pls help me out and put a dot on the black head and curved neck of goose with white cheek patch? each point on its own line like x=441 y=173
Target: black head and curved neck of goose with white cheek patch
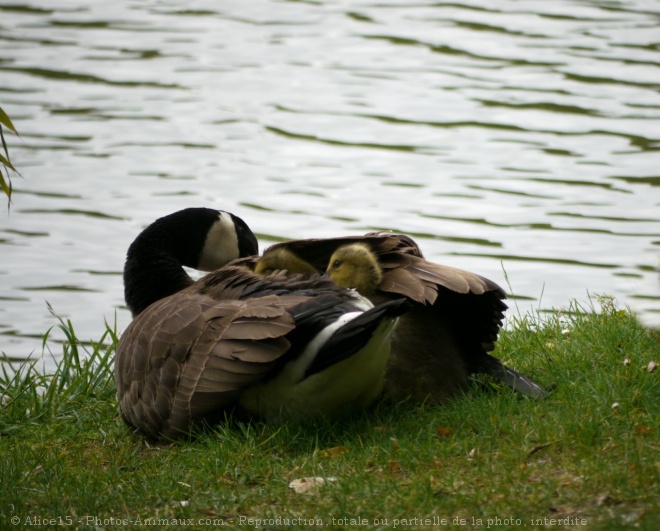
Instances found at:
x=199 y=238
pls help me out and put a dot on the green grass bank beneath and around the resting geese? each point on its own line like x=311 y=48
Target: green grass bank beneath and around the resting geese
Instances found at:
x=489 y=455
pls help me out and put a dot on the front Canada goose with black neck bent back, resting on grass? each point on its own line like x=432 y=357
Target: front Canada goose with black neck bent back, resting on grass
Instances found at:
x=274 y=346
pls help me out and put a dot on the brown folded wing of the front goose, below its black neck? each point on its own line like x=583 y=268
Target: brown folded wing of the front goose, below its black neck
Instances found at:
x=190 y=355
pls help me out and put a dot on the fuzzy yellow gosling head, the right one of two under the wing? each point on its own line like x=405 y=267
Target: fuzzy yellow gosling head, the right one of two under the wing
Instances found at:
x=355 y=266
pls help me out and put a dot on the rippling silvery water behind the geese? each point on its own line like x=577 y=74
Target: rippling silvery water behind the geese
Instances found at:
x=515 y=138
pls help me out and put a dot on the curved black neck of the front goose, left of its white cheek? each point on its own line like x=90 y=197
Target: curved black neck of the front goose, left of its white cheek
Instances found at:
x=154 y=261
